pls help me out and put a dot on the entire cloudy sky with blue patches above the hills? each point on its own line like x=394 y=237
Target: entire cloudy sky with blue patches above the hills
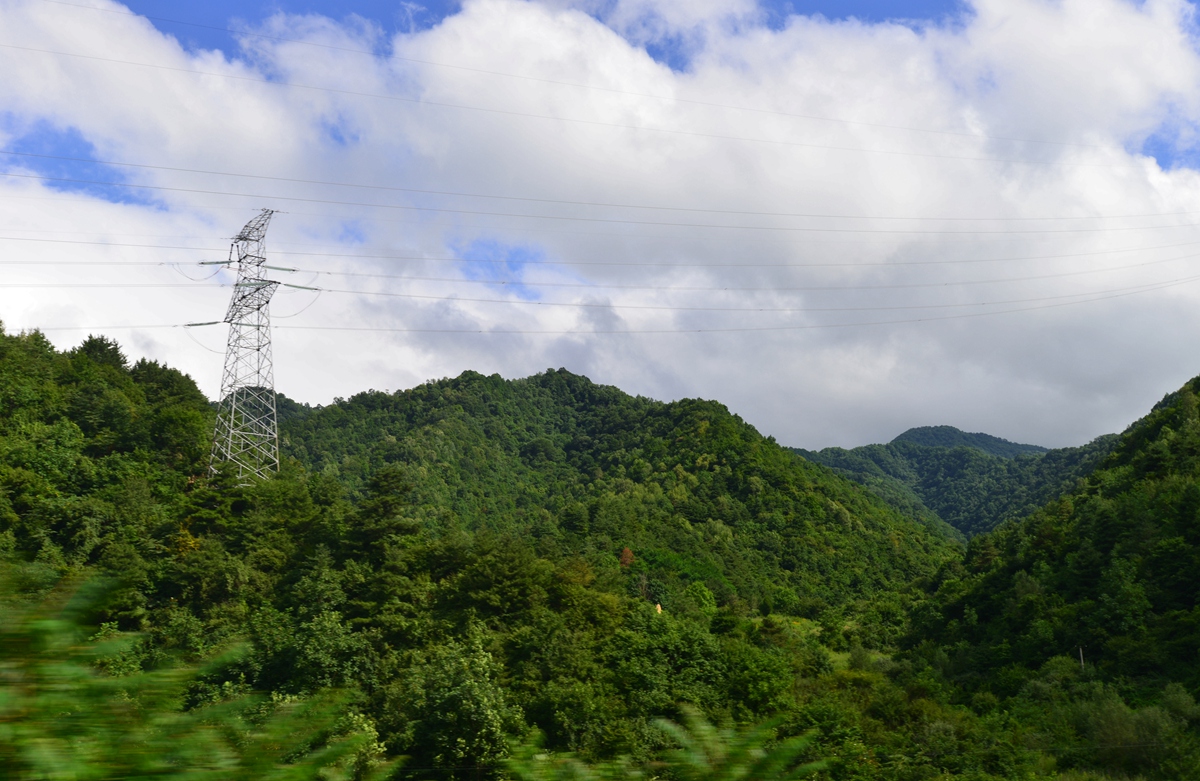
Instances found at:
x=842 y=220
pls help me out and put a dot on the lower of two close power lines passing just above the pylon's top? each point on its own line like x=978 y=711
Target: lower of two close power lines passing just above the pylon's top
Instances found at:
x=597 y=220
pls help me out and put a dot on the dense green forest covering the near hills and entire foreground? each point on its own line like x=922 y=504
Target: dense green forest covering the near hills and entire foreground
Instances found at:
x=550 y=579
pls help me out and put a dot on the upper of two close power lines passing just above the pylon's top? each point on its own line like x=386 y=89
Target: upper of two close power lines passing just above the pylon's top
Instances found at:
x=580 y=203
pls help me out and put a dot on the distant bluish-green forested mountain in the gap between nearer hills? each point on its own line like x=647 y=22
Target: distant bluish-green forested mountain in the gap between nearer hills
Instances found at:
x=974 y=483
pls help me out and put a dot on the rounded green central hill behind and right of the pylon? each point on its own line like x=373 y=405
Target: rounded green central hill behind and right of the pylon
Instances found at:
x=692 y=490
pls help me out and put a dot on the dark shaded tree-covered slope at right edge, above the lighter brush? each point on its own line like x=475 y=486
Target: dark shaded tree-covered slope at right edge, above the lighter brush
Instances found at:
x=1111 y=567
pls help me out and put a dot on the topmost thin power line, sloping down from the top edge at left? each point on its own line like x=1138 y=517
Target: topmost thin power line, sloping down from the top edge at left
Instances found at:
x=579 y=85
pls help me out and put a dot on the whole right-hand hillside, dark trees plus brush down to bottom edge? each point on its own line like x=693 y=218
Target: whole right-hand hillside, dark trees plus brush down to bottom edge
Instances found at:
x=1085 y=616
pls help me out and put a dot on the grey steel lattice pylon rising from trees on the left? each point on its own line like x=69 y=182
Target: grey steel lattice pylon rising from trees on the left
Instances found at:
x=247 y=431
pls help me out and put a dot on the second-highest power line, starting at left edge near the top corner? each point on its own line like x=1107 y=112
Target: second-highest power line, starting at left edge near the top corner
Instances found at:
x=557 y=119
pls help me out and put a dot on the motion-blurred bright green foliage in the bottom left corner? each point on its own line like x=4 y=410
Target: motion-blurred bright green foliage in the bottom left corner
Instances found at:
x=63 y=718
